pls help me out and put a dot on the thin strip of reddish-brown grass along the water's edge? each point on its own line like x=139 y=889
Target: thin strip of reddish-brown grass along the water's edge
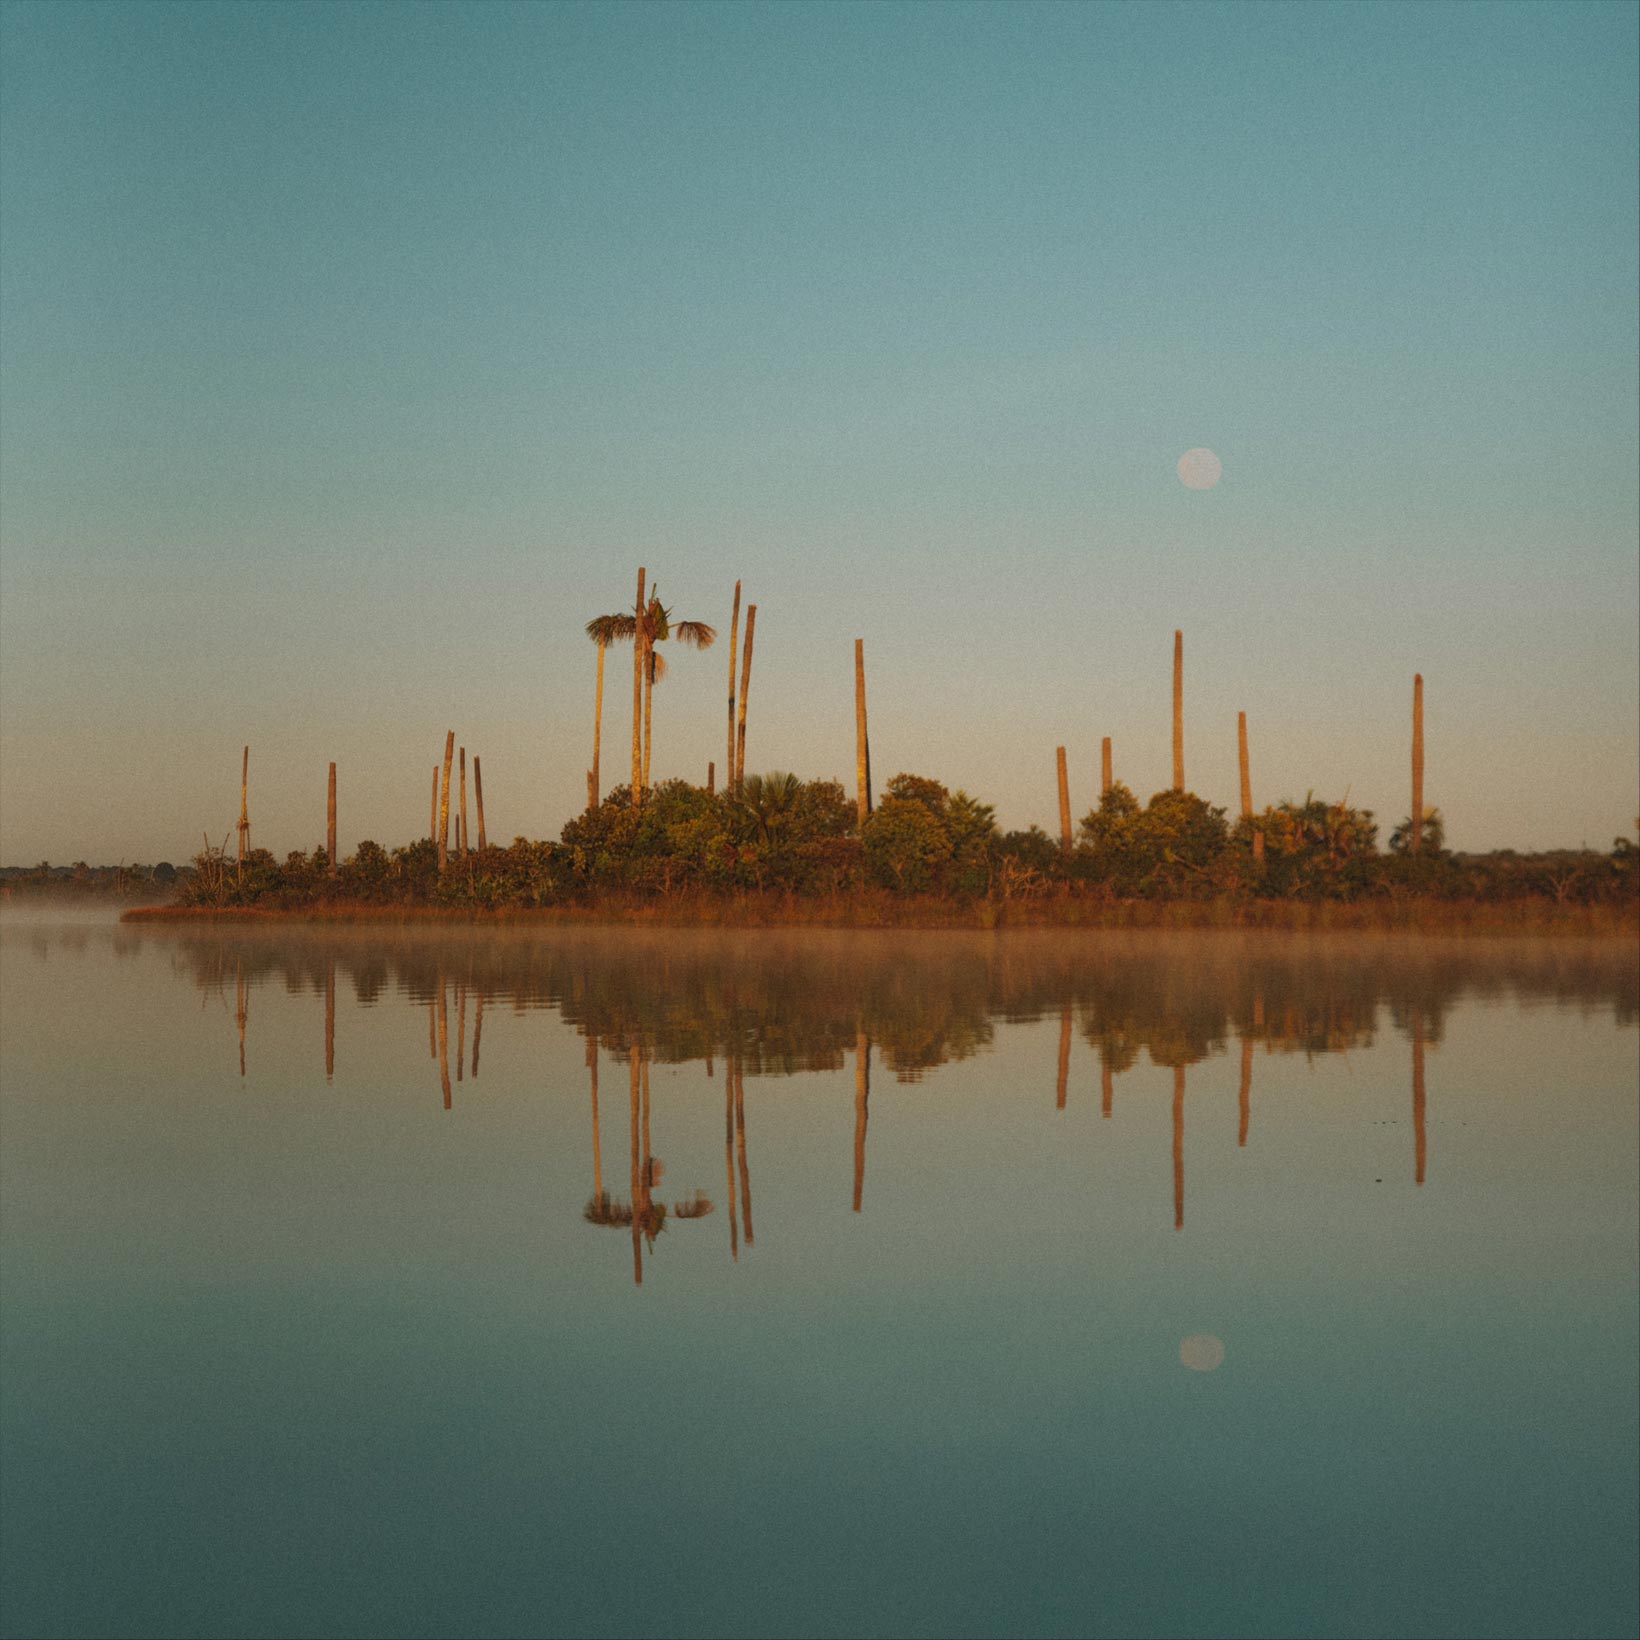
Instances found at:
x=868 y=913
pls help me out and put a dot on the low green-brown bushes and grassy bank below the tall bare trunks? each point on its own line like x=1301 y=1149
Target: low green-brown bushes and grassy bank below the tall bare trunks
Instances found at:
x=801 y=840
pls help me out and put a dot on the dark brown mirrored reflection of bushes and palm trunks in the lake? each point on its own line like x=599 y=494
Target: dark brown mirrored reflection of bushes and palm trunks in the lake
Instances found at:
x=775 y=1006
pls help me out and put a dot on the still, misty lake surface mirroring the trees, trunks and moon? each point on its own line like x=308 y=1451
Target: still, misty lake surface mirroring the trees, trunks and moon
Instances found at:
x=660 y=1283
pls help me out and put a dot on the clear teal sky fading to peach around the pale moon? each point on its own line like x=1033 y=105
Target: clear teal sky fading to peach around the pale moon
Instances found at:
x=352 y=358
